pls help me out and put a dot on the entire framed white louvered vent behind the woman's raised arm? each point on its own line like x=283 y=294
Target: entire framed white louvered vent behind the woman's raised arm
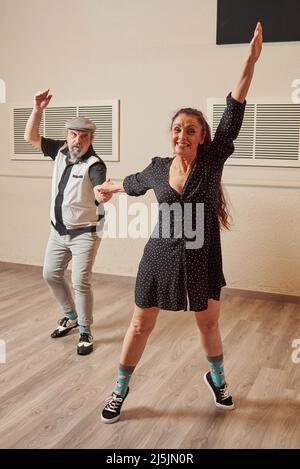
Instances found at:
x=270 y=134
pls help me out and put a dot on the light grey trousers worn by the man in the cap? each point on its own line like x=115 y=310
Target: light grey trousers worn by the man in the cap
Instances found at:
x=82 y=250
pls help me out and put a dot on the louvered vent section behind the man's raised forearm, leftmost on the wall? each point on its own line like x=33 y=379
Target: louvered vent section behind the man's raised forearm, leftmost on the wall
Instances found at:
x=20 y=118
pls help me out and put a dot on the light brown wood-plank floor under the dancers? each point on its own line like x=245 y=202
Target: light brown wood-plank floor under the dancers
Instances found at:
x=51 y=398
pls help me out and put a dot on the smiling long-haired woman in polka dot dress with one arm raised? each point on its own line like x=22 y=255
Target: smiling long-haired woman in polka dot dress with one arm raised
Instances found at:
x=175 y=274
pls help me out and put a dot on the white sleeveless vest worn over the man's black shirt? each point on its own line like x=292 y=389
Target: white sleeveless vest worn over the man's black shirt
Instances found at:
x=78 y=206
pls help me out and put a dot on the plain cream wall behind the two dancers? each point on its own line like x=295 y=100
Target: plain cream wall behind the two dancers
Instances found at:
x=155 y=57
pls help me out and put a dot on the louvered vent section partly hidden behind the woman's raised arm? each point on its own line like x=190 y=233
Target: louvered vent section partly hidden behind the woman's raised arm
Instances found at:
x=244 y=143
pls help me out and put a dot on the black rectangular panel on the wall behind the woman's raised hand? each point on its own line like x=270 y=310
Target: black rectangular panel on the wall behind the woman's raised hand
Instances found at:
x=236 y=20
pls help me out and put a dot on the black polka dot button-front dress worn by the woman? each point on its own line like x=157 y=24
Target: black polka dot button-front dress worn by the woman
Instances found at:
x=171 y=275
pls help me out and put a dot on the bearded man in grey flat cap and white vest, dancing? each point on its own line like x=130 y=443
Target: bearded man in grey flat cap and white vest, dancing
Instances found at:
x=77 y=172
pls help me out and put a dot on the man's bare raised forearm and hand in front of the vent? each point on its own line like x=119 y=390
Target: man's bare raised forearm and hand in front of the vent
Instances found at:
x=32 y=135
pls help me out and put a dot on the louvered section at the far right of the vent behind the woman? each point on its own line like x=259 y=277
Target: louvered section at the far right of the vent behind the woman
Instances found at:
x=277 y=133
